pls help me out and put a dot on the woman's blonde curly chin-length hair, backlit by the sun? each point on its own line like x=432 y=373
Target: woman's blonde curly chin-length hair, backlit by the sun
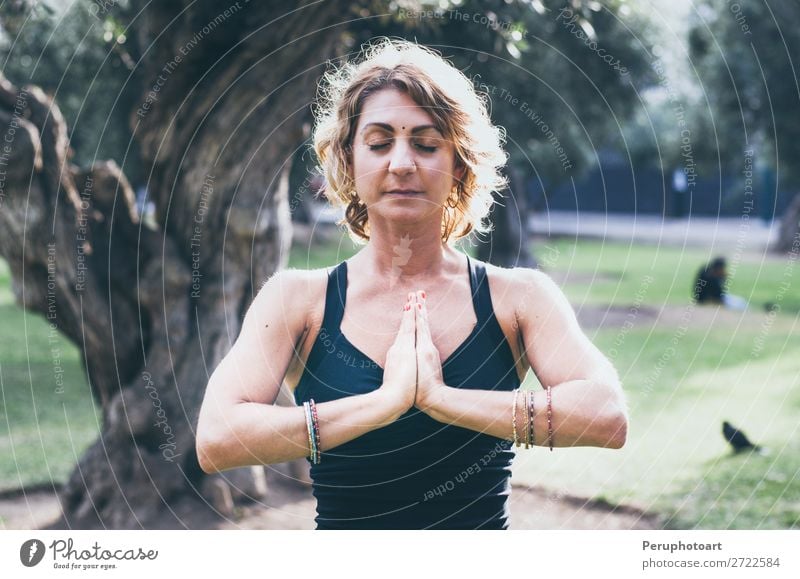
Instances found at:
x=458 y=111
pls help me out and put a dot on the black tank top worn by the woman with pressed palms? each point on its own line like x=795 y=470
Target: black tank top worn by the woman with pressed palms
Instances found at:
x=416 y=473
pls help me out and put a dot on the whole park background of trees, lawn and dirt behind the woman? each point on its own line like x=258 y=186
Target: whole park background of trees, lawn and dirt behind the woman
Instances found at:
x=161 y=172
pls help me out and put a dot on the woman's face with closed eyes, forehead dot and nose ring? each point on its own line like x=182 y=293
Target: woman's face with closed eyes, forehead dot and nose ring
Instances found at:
x=402 y=165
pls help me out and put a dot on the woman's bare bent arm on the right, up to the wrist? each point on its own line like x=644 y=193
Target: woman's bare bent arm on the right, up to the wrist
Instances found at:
x=587 y=400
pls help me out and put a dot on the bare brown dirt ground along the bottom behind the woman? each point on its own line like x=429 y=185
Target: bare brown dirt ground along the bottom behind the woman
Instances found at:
x=293 y=508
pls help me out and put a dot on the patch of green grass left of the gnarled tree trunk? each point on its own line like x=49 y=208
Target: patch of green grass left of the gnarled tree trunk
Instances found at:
x=47 y=417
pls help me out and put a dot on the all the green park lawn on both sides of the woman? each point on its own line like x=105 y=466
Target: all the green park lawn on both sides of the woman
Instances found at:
x=685 y=370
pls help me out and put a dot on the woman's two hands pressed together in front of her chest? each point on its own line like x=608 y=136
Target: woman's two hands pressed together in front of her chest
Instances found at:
x=413 y=370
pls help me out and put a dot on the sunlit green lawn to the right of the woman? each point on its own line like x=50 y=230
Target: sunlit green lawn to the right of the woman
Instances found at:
x=684 y=372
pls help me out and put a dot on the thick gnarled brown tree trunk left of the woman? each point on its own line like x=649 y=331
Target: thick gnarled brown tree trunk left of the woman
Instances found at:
x=154 y=311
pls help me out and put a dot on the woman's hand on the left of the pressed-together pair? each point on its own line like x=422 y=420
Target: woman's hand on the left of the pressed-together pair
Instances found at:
x=400 y=369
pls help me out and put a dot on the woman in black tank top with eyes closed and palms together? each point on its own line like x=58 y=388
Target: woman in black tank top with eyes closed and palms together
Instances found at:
x=407 y=358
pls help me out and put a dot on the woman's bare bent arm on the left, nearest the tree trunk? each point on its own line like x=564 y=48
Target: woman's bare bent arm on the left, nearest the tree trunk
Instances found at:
x=239 y=424
